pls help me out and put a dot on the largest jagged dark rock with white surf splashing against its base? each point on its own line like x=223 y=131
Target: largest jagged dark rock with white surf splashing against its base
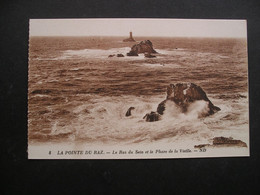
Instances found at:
x=183 y=94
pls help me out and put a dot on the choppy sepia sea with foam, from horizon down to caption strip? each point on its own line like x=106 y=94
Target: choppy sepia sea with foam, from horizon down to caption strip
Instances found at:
x=76 y=93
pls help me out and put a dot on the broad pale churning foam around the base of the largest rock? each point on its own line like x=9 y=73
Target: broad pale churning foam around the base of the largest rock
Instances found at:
x=104 y=120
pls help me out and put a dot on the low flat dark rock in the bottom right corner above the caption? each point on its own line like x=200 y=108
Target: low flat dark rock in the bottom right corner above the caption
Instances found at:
x=223 y=141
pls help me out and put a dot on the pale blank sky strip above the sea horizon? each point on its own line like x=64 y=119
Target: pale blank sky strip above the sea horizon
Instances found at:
x=139 y=27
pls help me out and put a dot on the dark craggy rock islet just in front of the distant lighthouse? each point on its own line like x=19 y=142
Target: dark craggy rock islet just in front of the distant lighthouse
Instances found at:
x=142 y=47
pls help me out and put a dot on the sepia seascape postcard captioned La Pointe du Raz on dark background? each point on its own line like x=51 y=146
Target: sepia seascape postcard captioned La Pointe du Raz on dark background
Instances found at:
x=137 y=89
